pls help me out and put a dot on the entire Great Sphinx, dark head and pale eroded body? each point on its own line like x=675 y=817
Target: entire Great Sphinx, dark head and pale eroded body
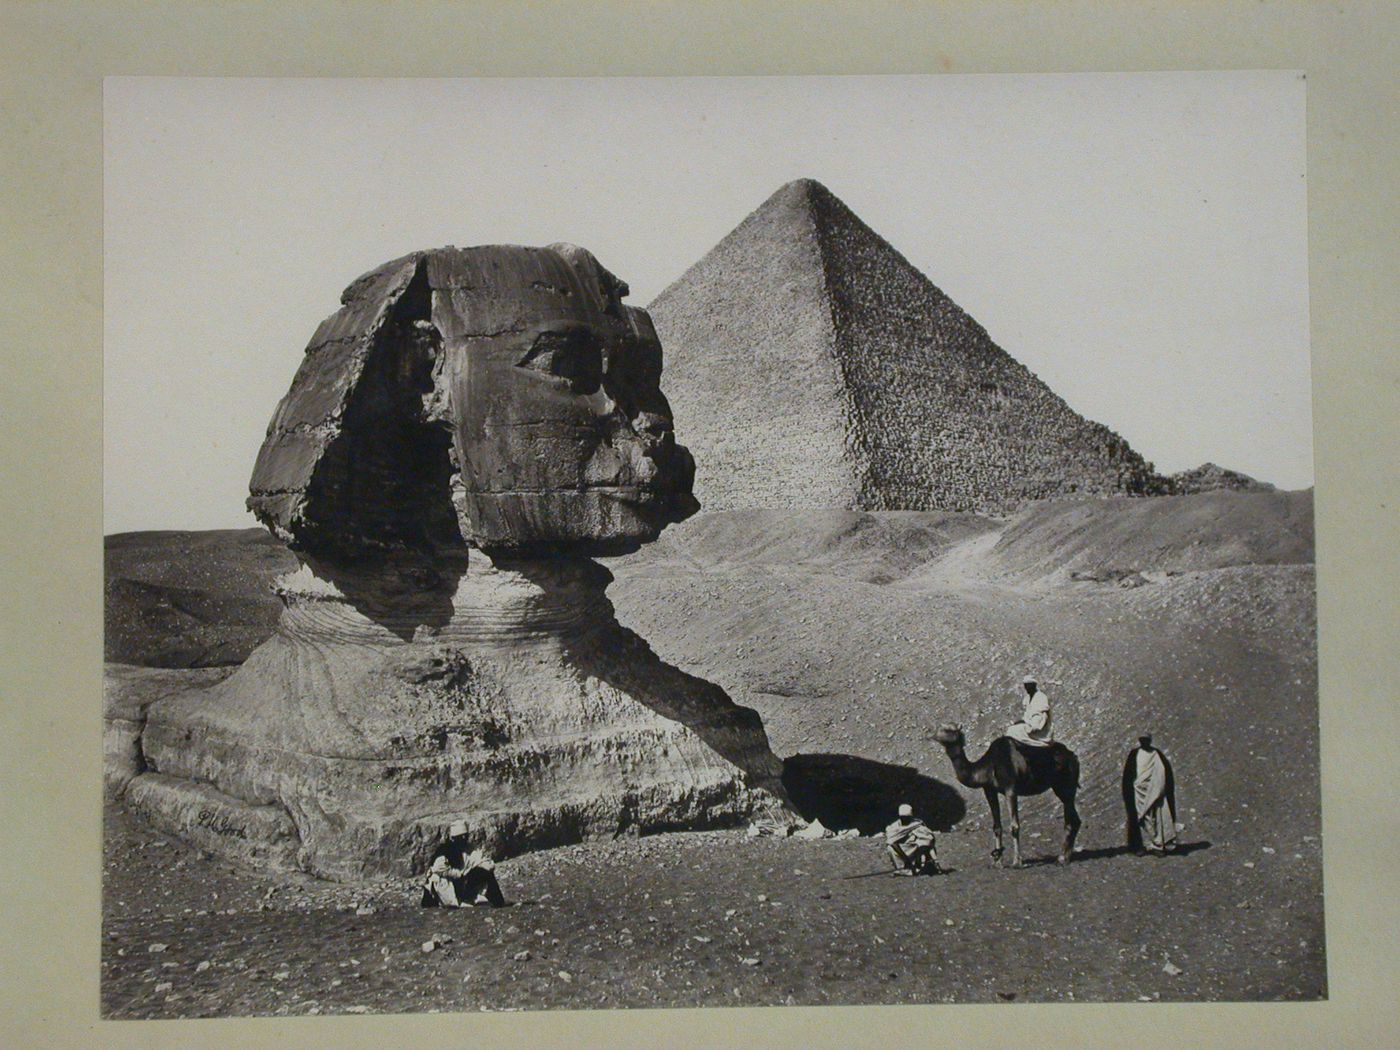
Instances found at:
x=463 y=439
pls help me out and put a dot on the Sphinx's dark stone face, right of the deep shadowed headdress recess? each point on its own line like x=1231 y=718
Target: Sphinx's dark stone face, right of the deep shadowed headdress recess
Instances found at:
x=562 y=435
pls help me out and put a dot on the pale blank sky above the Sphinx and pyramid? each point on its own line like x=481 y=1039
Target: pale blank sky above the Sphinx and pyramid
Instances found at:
x=1139 y=241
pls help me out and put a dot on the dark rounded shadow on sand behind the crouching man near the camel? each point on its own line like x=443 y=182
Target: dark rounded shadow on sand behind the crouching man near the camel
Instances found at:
x=849 y=792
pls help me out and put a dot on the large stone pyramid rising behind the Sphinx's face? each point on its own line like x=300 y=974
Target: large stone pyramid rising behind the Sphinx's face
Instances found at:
x=810 y=365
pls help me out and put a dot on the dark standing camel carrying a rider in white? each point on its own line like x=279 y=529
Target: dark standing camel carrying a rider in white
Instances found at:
x=1014 y=772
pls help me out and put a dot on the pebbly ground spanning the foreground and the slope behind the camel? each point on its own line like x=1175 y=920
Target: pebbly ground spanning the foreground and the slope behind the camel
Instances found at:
x=856 y=636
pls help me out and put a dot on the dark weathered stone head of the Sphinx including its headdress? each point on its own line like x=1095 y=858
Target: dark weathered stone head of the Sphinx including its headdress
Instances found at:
x=499 y=398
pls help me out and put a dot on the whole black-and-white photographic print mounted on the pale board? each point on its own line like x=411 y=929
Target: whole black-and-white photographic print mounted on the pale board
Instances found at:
x=583 y=544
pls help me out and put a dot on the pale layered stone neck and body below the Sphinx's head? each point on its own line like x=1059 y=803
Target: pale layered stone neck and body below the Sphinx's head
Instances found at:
x=528 y=710
